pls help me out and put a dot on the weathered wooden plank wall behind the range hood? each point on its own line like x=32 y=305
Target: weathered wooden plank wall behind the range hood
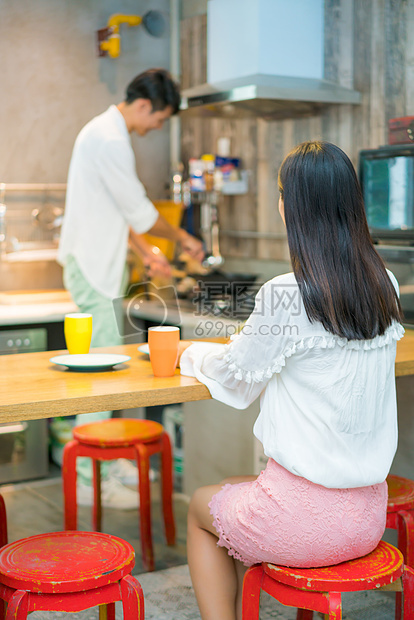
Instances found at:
x=368 y=46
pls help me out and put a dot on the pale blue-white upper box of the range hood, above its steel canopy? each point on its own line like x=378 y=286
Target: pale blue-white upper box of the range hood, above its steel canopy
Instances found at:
x=270 y=37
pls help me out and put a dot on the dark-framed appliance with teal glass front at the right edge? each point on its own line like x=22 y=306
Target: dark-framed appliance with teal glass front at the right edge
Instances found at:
x=386 y=175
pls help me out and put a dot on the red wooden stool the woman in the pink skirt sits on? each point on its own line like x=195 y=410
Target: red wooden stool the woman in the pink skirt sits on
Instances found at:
x=320 y=589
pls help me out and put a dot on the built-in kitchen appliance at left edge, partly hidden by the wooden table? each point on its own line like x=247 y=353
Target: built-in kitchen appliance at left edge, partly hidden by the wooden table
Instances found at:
x=23 y=445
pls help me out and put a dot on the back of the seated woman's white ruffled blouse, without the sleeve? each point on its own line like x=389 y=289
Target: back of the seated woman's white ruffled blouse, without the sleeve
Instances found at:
x=330 y=413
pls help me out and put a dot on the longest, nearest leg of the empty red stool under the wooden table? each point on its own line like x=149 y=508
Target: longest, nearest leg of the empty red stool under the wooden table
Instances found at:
x=145 y=507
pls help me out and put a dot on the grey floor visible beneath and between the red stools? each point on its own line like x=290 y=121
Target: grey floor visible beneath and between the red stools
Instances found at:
x=36 y=507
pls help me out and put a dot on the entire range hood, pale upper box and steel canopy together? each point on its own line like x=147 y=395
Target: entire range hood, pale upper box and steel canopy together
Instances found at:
x=265 y=58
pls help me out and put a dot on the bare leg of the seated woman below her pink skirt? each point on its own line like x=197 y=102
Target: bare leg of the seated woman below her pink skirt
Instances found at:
x=213 y=571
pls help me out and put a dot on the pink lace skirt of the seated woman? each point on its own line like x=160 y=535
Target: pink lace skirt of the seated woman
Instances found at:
x=284 y=519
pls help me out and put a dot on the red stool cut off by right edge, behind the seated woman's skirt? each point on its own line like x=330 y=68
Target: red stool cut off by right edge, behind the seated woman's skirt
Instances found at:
x=400 y=514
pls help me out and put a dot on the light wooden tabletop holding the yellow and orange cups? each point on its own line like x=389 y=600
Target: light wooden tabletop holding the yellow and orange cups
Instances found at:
x=31 y=387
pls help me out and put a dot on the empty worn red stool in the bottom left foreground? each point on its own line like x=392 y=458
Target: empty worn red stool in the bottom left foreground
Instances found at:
x=69 y=571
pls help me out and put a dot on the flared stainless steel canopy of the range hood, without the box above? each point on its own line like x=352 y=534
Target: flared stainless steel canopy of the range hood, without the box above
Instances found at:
x=265 y=96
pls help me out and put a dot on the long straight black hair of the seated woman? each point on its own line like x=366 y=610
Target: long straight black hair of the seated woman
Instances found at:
x=342 y=279
